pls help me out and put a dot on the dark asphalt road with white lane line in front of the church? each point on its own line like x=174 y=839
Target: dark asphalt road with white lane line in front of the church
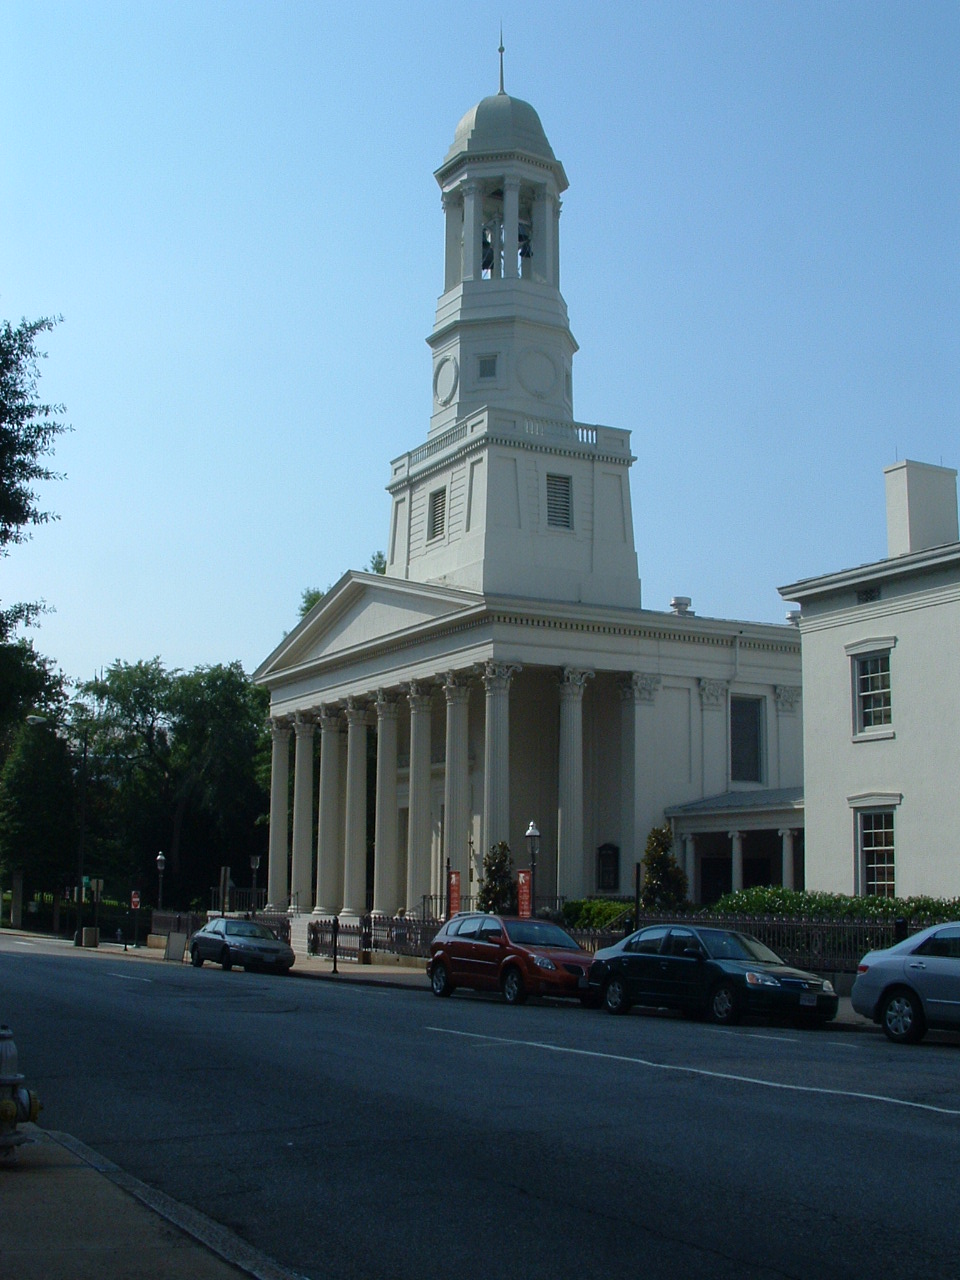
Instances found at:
x=360 y=1132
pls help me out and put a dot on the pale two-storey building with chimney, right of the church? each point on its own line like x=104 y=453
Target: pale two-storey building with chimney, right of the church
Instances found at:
x=881 y=676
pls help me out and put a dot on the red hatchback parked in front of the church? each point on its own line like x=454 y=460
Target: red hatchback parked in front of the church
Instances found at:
x=497 y=953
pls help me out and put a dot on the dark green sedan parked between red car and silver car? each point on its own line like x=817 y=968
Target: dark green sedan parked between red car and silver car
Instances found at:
x=706 y=973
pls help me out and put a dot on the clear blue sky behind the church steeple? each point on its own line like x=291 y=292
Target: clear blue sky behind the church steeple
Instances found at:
x=234 y=208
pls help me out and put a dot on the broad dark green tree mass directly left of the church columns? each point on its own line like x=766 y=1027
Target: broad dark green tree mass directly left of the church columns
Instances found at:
x=176 y=765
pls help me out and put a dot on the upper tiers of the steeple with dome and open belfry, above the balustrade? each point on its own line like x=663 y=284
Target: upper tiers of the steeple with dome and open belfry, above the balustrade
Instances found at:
x=502 y=337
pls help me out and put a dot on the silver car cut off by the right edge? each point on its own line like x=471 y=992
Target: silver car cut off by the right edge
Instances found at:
x=912 y=986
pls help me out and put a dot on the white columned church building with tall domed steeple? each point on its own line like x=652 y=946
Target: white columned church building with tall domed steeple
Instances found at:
x=504 y=670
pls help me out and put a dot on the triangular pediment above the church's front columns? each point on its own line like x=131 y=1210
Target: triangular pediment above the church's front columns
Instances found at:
x=360 y=612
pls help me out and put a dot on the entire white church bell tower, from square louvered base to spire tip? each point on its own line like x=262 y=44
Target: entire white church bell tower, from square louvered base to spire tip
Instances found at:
x=509 y=495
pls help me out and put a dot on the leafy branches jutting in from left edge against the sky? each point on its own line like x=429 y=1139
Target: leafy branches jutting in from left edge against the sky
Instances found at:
x=29 y=429
